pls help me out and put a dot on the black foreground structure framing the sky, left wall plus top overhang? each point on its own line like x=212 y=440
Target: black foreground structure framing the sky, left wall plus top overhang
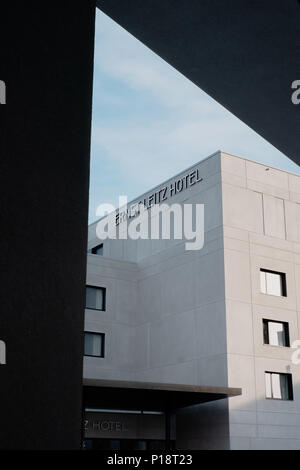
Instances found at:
x=245 y=54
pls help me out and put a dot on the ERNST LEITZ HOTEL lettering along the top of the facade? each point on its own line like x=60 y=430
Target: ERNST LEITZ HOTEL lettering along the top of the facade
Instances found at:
x=160 y=195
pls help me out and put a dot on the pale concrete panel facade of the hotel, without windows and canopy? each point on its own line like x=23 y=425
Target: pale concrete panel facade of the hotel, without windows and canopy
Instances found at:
x=196 y=317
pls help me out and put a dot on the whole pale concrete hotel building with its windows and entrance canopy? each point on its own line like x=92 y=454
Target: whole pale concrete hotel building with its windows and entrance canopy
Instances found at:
x=191 y=349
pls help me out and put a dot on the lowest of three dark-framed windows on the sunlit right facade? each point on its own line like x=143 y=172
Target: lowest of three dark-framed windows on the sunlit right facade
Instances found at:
x=279 y=386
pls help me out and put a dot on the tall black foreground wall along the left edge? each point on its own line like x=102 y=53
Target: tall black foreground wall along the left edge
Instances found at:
x=46 y=61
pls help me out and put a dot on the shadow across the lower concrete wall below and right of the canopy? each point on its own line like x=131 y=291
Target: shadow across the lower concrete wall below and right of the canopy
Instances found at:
x=261 y=424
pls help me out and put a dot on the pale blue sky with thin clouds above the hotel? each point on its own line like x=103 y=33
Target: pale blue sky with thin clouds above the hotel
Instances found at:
x=150 y=122
